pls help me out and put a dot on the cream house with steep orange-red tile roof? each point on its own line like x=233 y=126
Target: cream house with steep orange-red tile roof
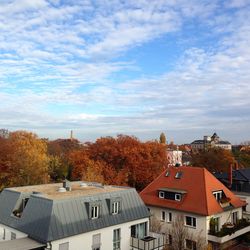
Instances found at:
x=208 y=208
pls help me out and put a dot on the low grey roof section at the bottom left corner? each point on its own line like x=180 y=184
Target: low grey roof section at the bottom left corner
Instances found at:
x=20 y=244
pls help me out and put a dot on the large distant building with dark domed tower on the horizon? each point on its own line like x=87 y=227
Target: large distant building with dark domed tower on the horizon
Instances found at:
x=210 y=142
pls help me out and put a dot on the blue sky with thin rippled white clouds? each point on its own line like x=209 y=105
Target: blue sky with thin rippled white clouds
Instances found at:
x=108 y=67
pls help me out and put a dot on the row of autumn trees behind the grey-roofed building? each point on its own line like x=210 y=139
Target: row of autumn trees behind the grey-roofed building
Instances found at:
x=26 y=159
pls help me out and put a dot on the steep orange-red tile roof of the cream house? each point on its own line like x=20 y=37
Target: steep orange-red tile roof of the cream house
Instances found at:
x=199 y=185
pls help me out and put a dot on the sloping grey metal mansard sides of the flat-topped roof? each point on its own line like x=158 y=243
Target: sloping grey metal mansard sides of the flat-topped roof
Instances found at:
x=46 y=220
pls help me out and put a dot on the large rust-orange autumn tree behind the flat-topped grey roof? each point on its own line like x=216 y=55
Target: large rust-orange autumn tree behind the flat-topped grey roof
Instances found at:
x=124 y=160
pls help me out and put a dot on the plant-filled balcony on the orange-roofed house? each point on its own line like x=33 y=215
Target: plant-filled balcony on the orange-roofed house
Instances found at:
x=229 y=231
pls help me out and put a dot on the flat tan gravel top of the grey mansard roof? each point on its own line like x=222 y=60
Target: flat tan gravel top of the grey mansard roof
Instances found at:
x=78 y=188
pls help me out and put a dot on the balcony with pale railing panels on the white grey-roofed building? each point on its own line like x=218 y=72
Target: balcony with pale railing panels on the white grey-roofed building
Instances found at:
x=150 y=242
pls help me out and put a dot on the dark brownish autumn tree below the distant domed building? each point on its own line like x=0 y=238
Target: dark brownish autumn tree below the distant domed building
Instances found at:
x=214 y=159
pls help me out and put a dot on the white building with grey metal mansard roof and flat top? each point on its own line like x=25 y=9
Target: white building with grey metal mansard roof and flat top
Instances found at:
x=76 y=216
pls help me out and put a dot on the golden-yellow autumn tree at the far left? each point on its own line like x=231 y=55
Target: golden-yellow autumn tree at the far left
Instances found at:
x=23 y=159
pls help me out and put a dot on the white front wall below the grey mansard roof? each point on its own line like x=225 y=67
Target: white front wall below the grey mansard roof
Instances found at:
x=84 y=241
